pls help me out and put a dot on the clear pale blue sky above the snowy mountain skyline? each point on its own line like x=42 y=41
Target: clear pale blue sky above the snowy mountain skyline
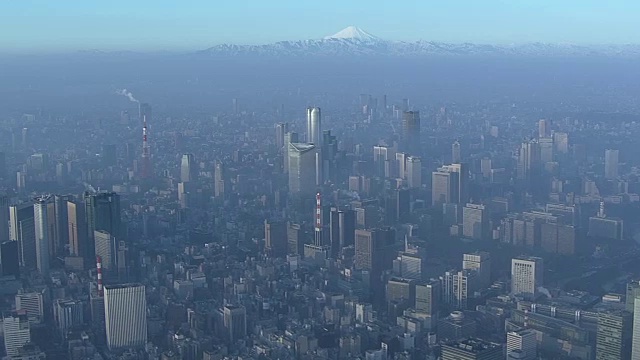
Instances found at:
x=66 y=25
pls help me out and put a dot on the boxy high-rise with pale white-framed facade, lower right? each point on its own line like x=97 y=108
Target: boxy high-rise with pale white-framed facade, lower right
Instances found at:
x=526 y=276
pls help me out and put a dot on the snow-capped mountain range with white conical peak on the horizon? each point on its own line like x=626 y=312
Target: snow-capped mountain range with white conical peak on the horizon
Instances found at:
x=353 y=41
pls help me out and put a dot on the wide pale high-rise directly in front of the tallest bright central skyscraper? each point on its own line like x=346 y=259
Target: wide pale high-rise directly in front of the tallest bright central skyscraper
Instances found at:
x=302 y=168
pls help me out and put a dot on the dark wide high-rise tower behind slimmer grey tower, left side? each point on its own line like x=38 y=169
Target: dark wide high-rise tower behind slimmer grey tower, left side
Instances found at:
x=102 y=211
